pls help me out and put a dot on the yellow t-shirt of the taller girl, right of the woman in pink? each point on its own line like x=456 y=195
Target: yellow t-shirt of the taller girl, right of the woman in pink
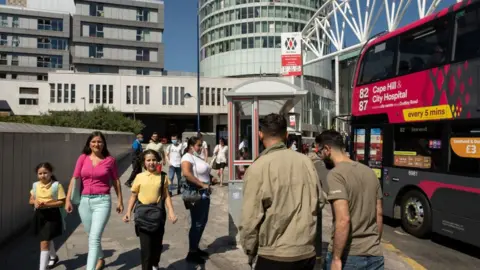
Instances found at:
x=147 y=186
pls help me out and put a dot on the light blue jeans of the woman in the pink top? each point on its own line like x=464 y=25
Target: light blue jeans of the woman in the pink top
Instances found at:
x=94 y=211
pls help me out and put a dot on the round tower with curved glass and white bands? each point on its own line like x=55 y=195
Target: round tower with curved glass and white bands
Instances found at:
x=241 y=38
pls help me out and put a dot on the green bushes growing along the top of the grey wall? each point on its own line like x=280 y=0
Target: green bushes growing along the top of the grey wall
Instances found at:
x=100 y=118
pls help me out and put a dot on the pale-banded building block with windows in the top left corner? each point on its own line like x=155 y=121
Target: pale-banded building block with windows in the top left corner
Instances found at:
x=32 y=43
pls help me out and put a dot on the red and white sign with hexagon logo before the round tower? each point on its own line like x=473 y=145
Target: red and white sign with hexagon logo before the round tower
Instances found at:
x=291 y=54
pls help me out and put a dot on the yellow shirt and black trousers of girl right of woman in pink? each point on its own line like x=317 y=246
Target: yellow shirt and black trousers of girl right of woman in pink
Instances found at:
x=147 y=187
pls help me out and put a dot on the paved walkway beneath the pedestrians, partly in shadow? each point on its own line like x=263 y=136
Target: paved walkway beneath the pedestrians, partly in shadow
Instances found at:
x=121 y=246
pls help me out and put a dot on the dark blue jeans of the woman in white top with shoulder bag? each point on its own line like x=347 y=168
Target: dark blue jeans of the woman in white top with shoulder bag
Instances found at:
x=199 y=215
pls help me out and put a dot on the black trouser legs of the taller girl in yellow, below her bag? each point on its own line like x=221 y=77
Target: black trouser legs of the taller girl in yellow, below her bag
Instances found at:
x=151 y=245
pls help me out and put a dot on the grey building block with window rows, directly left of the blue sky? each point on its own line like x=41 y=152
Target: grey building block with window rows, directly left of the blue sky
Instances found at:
x=118 y=36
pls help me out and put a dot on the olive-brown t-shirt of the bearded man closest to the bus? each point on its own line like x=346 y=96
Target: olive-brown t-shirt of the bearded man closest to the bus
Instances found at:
x=358 y=184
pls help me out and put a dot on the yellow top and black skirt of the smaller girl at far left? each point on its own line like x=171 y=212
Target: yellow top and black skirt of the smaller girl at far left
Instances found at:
x=48 y=222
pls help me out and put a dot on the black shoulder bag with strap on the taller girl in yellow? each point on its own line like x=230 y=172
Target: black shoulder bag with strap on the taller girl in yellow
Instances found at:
x=151 y=217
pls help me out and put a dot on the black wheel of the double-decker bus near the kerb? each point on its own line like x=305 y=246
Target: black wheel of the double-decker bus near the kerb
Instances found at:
x=416 y=214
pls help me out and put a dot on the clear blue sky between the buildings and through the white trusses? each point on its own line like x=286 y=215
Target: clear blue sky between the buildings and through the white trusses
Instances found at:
x=180 y=32
